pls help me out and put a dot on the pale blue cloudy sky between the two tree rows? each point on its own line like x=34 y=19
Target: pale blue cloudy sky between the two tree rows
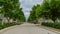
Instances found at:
x=27 y=5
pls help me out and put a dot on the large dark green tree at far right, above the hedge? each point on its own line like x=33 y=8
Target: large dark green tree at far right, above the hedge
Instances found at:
x=51 y=9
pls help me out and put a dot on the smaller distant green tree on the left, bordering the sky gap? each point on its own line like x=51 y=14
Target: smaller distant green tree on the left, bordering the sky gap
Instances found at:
x=19 y=15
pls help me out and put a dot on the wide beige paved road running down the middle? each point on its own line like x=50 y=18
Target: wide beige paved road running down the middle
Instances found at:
x=27 y=28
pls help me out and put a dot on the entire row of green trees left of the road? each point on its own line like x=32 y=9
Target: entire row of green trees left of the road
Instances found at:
x=11 y=10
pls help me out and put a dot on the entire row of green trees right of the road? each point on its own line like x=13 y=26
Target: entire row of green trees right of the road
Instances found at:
x=49 y=9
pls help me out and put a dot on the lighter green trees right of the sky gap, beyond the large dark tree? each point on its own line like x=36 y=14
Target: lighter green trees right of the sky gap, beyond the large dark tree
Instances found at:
x=34 y=13
